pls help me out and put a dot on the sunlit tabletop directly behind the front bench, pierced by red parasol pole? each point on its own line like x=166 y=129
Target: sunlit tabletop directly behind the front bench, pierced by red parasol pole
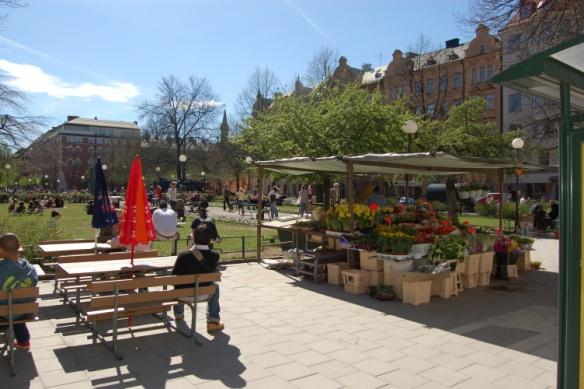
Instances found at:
x=77 y=269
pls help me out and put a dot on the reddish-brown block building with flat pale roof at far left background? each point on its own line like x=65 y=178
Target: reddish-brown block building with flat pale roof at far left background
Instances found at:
x=63 y=155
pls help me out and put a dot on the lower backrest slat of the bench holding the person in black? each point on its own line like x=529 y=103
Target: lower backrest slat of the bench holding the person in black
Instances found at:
x=155 y=296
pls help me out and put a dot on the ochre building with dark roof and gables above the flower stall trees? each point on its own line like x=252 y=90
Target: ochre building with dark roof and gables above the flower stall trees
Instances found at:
x=437 y=80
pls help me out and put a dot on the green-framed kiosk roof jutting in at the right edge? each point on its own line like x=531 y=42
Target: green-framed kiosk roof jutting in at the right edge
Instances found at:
x=541 y=74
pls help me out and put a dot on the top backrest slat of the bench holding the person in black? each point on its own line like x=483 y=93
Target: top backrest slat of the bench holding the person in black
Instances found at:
x=145 y=282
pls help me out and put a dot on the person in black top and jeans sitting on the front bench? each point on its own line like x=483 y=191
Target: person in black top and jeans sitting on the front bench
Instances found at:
x=200 y=259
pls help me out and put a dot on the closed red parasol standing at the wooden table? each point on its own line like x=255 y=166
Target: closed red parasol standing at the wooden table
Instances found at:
x=136 y=226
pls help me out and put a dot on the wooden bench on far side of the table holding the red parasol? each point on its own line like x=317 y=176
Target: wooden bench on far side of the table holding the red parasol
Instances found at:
x=66 y=283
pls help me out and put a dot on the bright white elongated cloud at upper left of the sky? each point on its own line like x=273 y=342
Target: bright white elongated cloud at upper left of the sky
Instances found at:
x=31 y=78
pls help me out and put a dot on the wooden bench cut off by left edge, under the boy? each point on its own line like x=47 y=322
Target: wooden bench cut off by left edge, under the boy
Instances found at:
x=17 y=311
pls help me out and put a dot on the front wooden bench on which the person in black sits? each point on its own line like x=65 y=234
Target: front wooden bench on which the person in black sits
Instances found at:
x=123 y=301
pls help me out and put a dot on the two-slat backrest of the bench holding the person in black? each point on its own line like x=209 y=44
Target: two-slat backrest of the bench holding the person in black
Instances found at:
x=156 y=296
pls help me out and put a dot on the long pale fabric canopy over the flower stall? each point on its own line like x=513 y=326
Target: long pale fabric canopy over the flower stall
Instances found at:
x=429 y=163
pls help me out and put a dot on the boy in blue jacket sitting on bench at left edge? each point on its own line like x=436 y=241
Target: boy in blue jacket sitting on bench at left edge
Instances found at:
x=15 y=273
